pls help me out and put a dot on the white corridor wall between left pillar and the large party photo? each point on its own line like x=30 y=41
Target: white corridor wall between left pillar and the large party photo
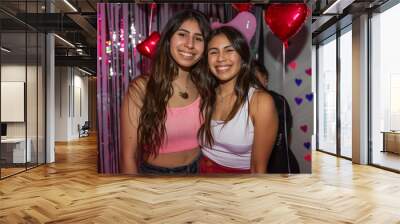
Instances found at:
x=70 y=83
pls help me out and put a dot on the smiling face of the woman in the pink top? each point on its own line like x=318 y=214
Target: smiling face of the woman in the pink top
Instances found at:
x=187 y=44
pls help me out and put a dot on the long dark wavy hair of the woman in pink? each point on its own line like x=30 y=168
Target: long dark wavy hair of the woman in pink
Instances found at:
x=151 y=129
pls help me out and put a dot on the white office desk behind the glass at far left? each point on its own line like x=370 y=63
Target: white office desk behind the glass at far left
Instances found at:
x=16 y=148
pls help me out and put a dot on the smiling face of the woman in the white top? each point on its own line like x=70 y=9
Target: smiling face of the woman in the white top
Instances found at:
x=223 y=60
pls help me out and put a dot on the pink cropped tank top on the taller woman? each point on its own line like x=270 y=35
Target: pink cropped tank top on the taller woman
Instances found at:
x=181 y=126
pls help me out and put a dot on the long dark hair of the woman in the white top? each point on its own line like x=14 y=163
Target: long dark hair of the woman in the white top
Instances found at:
x=244 y=81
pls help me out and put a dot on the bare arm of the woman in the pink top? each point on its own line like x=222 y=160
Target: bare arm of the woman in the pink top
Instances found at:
x=130 y=113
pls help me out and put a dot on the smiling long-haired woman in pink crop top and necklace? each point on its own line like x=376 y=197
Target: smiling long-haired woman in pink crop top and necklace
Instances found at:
x=160 y=114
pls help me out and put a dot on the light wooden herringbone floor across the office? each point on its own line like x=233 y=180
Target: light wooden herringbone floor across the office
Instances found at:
x=71 y=191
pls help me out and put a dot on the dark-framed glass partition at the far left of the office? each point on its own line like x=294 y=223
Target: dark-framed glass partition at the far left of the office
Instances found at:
x=22 y=77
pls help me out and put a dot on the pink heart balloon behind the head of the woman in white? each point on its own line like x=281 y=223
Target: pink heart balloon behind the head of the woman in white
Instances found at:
x=245 y=22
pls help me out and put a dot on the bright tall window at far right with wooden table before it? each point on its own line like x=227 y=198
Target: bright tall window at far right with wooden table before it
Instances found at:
x=385 y=86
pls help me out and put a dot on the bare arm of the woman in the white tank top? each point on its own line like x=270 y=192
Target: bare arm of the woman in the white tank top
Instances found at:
x=265 y=120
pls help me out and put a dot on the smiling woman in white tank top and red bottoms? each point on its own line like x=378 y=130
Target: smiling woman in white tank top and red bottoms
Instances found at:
x=240 y=120
